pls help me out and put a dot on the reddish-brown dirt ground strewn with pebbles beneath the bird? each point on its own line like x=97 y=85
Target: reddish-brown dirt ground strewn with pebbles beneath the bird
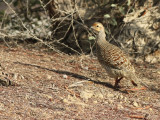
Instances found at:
x=53 y=86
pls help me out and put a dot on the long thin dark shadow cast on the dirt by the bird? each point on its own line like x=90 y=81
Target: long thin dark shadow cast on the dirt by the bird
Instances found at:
x=75 y=75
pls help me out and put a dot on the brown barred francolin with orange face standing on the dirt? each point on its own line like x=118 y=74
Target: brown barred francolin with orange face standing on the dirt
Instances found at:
x=112 y=58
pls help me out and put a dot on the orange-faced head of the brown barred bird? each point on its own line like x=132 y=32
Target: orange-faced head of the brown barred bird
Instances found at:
x=97 y=27
